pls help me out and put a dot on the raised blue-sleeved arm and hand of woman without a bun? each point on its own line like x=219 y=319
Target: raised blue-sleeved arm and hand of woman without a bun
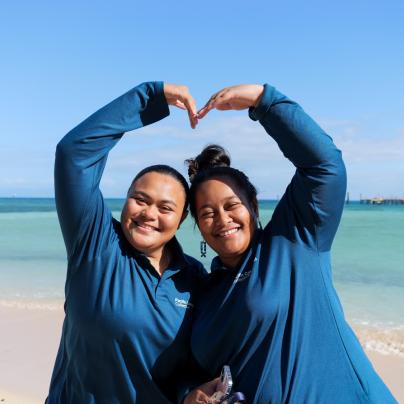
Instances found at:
x=82 y=154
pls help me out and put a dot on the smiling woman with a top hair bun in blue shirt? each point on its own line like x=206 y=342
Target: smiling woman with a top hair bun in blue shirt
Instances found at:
x=269 y=309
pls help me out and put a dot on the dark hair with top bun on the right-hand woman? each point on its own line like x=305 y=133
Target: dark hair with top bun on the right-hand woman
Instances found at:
x=213 y=162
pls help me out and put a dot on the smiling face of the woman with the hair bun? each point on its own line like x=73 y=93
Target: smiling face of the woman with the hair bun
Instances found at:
x=225 y=218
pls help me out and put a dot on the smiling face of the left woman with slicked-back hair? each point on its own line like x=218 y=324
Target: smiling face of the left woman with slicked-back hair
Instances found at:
x=153 y=211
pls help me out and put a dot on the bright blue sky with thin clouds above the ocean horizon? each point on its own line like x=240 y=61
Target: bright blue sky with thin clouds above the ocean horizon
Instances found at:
x=342 y=61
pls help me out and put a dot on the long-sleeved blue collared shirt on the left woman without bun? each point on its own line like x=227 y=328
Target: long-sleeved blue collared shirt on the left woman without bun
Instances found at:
x=126 y=333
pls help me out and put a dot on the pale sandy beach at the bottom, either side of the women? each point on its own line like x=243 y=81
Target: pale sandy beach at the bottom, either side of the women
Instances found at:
x=29 y=340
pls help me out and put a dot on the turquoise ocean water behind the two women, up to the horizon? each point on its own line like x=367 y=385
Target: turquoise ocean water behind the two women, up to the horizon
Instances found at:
x=368 y=263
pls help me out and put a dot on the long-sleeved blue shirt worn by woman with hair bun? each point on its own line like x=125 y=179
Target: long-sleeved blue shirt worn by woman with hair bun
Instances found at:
x=277 y=320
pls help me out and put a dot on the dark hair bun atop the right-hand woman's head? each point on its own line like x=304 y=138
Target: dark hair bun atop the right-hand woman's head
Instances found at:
x=211 y=156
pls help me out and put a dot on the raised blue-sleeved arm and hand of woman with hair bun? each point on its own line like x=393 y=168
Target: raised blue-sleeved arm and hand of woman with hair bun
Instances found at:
x=312 y=204
